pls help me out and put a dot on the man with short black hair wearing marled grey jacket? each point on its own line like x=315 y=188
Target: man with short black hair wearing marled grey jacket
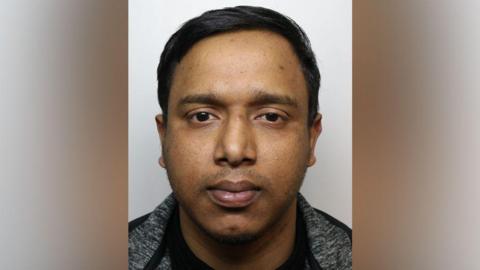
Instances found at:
x=238 y=88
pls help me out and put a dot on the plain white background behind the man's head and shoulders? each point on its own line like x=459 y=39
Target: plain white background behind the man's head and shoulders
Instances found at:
x=328 y=185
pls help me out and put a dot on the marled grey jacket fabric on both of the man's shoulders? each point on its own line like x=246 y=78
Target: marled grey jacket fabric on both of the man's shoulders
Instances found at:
x=329 y=244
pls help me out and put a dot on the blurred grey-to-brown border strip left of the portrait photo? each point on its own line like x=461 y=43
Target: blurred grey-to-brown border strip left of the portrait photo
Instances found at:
x=63 y=176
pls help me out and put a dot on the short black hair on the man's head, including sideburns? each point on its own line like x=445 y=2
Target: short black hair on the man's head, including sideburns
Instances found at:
x=232 y=19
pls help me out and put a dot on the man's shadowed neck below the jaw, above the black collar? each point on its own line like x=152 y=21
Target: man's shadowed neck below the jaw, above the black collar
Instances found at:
x=268 y=251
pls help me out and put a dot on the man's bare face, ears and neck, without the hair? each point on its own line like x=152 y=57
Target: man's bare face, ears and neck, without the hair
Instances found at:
x=237 y=146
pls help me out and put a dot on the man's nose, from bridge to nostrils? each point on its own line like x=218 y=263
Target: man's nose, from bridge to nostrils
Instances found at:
x=236 y=143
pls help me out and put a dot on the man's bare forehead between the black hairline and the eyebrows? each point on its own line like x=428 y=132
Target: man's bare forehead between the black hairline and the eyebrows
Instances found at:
x=238 y=63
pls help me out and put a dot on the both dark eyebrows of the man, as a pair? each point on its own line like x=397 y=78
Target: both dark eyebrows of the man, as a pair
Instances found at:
x=260 y=97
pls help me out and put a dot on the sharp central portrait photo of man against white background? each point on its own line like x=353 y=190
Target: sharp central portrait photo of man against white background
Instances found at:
x=240 y=135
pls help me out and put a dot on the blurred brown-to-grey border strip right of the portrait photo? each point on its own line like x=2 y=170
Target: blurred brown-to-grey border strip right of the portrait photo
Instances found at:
x=416 y=150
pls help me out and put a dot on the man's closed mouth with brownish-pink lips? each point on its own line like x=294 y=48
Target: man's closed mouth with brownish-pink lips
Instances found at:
x=228 y=194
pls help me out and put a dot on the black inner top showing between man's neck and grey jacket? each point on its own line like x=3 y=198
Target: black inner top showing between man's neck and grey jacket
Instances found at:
x=183 y=258
